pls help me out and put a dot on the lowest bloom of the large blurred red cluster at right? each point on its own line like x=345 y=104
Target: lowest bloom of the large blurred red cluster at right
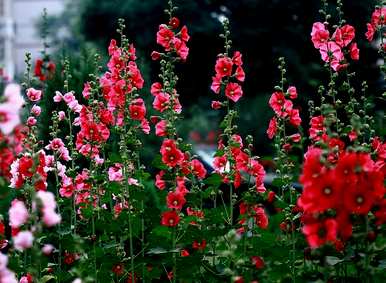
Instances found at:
x=319 y=233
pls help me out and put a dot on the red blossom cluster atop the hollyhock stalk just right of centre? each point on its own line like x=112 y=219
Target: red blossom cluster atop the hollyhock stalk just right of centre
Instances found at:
x=228 y=69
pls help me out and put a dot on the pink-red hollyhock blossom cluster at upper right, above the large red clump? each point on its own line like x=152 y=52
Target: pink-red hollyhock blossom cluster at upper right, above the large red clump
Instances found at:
x=332 y=48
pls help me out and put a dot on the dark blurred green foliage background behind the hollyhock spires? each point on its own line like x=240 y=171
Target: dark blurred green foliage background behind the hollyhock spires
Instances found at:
x=262 y=30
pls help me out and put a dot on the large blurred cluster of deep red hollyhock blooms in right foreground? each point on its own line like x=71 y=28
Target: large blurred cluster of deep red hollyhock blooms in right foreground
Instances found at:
x=352 y=186
